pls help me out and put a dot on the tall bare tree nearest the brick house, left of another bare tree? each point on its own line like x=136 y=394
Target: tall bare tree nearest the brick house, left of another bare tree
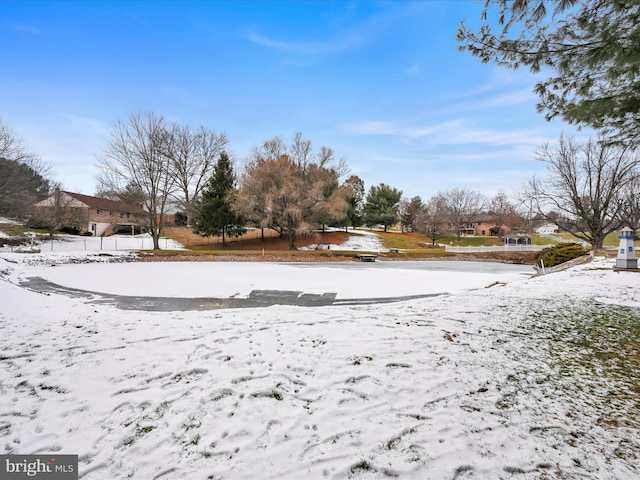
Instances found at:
x=136 y=153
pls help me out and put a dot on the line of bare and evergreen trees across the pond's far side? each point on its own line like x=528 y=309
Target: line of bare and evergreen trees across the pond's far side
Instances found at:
x=592 y=187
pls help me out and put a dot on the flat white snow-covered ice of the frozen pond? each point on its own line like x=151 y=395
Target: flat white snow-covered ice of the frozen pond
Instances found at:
x=341 y=280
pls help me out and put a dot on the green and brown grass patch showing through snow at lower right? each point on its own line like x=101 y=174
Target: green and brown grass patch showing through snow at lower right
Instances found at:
x=595 y=350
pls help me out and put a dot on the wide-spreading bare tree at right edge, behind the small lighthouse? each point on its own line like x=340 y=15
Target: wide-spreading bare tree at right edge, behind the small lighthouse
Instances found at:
x=585 y=183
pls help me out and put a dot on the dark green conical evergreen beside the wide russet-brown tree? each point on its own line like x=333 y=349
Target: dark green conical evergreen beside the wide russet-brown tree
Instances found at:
x=215 y=213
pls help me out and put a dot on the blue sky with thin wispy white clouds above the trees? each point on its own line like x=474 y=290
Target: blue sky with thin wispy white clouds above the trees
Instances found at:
x=382 y=83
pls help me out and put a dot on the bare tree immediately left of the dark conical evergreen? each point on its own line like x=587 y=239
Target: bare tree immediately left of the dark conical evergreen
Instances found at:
x=193 y=155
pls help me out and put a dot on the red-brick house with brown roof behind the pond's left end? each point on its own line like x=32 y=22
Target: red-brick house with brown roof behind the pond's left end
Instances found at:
x=85 y=213
